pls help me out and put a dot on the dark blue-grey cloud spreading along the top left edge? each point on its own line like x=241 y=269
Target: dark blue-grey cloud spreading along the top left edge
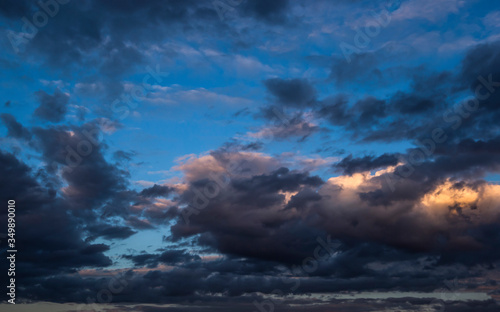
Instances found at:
x=97 y=34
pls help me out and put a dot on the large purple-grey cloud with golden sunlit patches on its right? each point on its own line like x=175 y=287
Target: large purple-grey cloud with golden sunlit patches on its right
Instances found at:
x=445 y=216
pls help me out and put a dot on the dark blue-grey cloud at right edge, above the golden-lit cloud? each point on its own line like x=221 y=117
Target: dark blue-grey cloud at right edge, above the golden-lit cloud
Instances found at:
x=429 y=102
